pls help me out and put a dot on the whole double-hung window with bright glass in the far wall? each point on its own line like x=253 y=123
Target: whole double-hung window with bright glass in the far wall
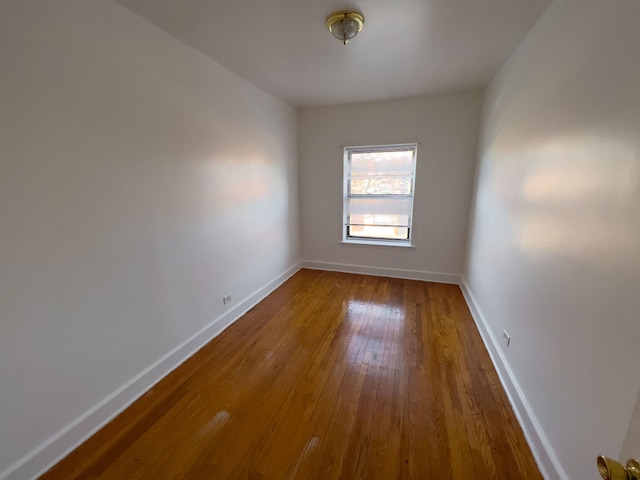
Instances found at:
x=378 y=193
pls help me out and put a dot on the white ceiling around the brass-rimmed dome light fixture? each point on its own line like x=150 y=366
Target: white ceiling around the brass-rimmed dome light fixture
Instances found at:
x=407 y=47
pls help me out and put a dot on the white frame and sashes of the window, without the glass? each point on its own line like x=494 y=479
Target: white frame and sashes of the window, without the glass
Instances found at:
x=349 y=239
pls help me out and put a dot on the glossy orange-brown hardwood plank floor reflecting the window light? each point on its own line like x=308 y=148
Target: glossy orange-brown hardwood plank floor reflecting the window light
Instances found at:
x=332 y=376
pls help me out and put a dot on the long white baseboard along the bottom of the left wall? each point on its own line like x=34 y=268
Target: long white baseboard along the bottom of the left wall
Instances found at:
x=42 y=458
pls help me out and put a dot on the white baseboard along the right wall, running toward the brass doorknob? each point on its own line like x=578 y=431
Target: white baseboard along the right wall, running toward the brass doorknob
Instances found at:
x=548 y=463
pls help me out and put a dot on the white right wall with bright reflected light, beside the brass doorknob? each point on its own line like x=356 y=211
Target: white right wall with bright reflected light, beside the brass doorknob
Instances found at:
x=554 y=246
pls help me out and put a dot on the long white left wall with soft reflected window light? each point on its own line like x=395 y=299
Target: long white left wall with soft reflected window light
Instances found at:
x=139 y=183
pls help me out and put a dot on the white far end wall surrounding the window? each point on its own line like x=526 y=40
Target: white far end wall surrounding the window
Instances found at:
x=447 y=129
